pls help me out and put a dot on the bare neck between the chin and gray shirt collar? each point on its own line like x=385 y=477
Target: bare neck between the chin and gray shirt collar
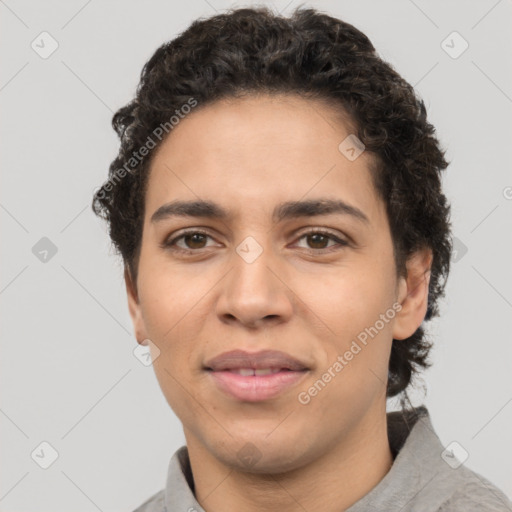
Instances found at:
x=333 y=481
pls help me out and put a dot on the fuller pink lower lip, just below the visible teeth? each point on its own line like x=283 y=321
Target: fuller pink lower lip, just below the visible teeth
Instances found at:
x=256 y=388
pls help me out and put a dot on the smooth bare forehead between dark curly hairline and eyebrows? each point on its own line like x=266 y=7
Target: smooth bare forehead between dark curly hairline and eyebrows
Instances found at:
x=250 y=154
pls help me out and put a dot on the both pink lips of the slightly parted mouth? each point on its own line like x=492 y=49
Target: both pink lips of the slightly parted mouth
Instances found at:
x=255 y=388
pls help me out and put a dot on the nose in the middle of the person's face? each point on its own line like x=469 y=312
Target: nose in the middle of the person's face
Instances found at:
x=254 y=294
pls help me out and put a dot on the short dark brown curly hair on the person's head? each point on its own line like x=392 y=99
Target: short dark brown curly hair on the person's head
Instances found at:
x=311 y=54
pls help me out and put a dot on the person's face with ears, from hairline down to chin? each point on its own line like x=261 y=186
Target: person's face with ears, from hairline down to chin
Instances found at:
x=277 y=271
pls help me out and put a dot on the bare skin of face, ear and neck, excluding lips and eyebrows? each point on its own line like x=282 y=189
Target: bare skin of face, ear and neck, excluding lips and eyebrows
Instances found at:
x=306 y=296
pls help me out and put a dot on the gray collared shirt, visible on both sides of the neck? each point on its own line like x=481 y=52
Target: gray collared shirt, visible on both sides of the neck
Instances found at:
x=424 y=477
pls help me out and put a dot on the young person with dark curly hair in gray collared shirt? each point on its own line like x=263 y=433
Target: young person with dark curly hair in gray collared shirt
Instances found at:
x=277 y=204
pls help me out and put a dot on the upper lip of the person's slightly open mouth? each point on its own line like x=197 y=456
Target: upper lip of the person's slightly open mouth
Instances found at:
x=236 y=359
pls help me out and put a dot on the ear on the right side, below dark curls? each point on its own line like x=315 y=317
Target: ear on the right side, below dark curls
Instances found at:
x=413 y=294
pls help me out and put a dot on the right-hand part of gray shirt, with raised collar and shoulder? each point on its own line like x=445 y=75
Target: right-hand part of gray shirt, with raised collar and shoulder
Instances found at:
x=427 y=476
